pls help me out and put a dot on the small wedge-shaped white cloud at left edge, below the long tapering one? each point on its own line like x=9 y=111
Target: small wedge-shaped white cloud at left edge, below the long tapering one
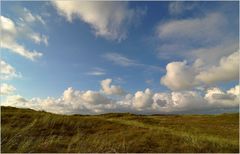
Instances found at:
x=7 y=71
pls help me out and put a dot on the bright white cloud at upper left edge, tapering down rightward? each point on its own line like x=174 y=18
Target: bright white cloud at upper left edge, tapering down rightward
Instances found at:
x=8 y=40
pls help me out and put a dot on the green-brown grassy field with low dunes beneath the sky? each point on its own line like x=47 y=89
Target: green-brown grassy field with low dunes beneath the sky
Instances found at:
x=25 y=130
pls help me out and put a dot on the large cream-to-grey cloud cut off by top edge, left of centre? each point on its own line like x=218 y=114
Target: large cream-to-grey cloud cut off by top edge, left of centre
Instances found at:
x=107 y=19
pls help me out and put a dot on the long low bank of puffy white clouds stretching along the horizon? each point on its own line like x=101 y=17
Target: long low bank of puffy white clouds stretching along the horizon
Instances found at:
x=145 y=102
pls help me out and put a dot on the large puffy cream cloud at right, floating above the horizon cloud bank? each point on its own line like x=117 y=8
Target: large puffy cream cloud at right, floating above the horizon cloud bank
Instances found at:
x=180 y=75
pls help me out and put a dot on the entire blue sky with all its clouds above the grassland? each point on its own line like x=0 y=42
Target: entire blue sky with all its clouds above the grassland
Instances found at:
x=76 y=57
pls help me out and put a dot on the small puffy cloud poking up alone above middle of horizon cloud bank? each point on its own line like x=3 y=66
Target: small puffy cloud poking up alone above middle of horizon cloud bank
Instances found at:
x=109 y=89
